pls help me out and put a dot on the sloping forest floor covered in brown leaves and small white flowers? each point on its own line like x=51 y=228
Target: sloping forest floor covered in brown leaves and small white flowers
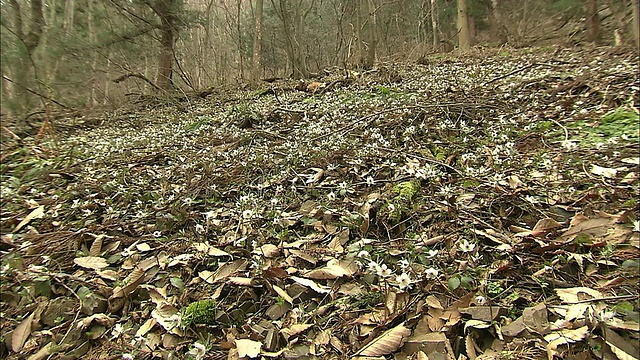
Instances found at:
x=482 y=206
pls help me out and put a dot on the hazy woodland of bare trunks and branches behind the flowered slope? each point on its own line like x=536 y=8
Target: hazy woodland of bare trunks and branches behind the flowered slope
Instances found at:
x=87 y=53
